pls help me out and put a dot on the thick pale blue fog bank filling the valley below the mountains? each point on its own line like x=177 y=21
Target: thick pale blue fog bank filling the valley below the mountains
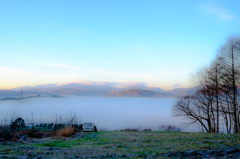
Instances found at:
x=106 y=113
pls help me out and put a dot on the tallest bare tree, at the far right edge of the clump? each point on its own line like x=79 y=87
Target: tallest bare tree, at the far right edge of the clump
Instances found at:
x=230 y=59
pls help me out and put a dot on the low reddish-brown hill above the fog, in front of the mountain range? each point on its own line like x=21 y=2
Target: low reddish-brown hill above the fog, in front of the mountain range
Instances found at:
x=138 y=93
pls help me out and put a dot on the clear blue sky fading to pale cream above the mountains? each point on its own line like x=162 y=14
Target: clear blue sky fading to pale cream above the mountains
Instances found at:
x=157 y=42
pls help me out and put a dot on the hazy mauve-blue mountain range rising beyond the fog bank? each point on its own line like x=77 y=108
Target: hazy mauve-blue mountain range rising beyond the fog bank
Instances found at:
x=93 y=89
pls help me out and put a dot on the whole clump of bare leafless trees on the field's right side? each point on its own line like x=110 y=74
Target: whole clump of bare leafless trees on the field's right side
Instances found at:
x=216 y=101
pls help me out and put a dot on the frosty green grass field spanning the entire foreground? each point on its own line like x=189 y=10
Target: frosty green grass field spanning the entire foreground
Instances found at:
x=126 y=144
